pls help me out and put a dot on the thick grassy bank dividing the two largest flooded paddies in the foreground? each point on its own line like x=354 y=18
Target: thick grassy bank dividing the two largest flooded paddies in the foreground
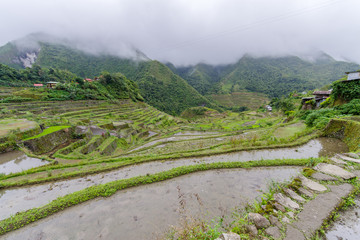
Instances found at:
x=105 y=190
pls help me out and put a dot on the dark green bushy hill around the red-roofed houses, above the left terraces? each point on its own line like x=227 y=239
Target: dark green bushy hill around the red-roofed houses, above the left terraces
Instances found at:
x=70 y=86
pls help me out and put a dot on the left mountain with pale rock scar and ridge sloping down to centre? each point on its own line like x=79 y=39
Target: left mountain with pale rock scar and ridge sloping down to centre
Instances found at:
x=158 y=84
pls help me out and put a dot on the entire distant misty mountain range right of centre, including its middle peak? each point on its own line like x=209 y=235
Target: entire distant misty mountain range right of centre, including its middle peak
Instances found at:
x=274 y=76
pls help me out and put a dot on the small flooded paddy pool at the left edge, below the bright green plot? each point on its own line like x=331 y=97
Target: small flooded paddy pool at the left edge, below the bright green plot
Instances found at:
x=17 y=161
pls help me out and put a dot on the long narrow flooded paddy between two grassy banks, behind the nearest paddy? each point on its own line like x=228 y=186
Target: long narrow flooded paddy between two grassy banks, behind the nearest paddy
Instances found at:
x=19 y=199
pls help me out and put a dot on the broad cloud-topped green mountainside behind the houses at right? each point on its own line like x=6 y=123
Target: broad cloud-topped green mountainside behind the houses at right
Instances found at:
x=279 y=76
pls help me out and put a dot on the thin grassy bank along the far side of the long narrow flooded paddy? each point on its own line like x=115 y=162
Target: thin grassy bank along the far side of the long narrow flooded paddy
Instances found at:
x=123 y=162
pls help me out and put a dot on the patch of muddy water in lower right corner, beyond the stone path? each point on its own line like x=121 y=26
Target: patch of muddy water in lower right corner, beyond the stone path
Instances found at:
x=348 y=225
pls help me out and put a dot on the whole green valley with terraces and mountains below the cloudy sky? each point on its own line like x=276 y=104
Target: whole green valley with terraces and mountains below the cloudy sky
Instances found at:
x=106 y=146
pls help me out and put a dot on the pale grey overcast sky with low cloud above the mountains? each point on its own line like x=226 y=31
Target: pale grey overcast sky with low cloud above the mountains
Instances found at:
x=191 y=31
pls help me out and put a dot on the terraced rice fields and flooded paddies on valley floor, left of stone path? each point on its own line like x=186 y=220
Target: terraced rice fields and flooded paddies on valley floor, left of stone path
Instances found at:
x=116 y=154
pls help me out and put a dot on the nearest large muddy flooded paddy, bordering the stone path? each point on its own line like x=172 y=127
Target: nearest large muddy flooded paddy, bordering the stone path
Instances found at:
x=145 y=211
